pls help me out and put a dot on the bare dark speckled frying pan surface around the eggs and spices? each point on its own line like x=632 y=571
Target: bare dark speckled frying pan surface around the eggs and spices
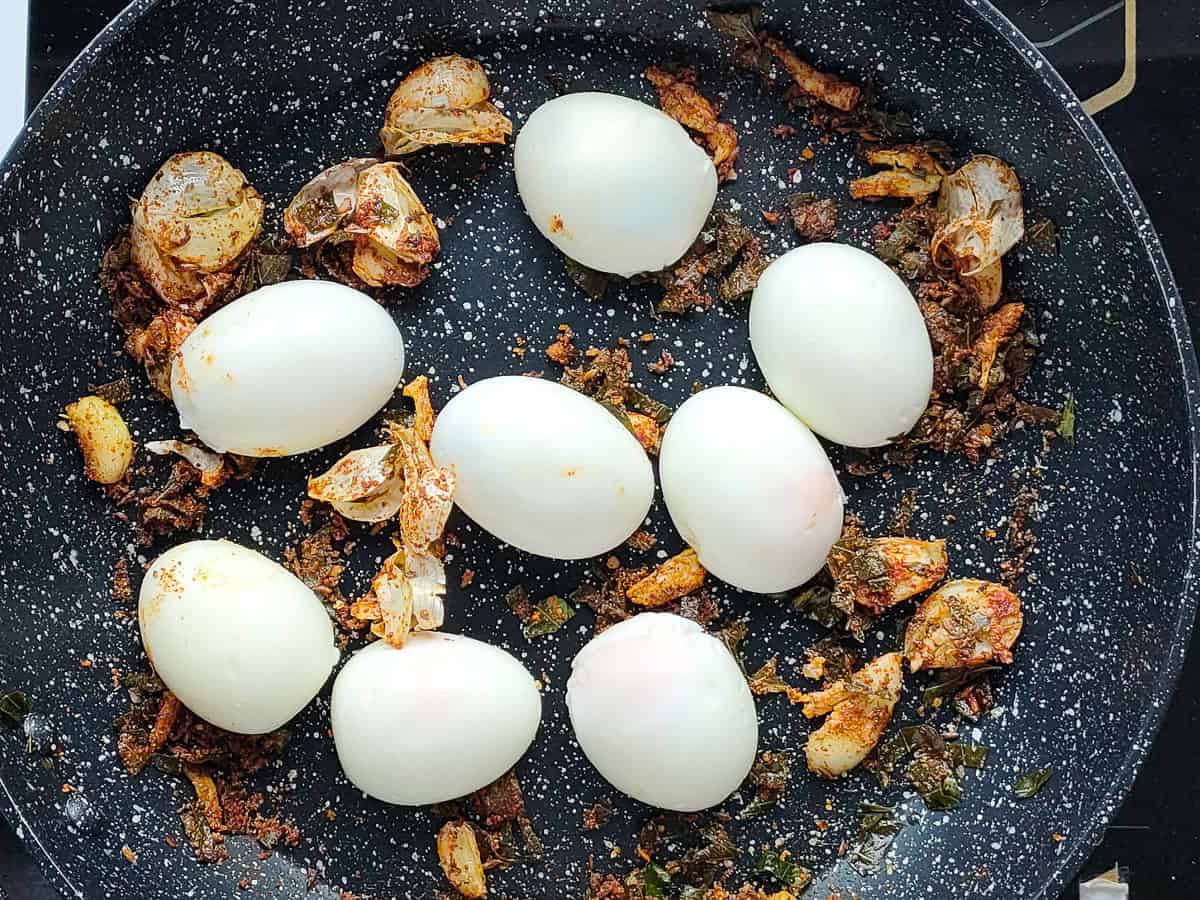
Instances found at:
x=285 y=88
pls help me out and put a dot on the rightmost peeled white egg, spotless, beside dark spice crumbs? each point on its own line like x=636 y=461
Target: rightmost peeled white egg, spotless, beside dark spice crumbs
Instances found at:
x=842 y=344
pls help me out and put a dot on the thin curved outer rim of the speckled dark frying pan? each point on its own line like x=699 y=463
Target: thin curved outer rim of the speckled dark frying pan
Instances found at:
x=1149 y=725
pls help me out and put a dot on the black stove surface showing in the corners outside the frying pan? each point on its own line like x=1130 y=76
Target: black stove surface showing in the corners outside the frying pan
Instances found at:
x=1153 y=119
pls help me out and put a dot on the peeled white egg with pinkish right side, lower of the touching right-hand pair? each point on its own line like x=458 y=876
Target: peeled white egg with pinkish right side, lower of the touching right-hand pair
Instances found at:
x=751 y=489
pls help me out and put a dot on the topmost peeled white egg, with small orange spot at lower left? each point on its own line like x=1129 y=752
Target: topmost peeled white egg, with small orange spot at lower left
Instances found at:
x=613 y=183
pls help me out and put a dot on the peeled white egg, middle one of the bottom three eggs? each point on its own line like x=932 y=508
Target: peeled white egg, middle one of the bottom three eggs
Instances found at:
x=434 y=721
